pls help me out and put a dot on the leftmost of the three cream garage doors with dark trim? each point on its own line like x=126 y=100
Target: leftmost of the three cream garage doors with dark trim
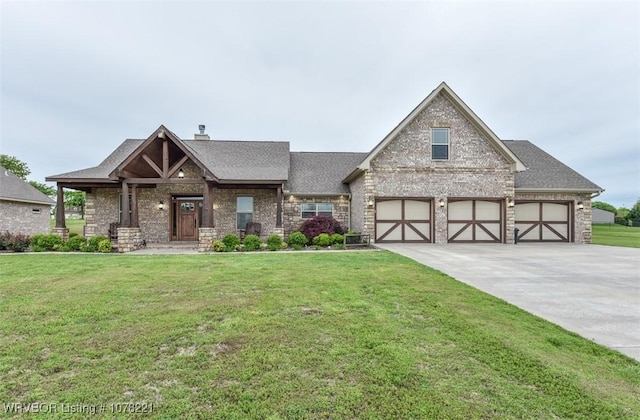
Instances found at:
x=403 y=220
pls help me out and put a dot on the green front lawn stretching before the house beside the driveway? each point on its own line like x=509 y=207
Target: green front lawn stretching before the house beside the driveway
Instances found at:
x=290 y=335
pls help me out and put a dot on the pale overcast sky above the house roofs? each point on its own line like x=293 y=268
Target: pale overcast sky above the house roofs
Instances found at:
x=79 y=77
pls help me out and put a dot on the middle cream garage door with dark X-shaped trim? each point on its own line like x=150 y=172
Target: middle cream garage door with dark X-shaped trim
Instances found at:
x=474 y=221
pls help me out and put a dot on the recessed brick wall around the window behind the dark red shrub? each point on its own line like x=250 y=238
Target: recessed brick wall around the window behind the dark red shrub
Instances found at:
x=292 y=208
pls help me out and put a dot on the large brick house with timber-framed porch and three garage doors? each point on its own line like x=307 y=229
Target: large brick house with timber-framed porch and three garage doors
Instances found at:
x=440 y=176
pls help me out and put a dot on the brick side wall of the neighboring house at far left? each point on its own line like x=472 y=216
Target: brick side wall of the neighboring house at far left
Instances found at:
x=16 y=217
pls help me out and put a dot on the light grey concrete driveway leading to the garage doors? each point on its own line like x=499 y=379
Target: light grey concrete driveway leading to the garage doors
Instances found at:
x=592 y=290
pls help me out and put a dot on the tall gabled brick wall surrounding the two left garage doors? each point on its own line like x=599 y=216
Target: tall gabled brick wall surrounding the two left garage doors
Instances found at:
x=475 y=169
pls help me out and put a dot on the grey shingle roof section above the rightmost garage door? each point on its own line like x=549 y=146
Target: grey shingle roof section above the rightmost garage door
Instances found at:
x=544 y=172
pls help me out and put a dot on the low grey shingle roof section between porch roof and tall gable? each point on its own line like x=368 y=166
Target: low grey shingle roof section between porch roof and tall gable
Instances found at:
x=321 y=172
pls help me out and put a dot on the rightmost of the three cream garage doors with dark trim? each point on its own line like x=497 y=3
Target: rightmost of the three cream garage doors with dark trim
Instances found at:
x=543 y=221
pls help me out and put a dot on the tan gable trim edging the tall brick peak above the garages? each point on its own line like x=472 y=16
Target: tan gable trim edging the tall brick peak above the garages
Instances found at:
x=444 y=89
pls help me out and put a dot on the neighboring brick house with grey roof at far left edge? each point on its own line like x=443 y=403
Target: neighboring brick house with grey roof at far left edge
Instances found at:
x=23 y=208
